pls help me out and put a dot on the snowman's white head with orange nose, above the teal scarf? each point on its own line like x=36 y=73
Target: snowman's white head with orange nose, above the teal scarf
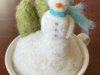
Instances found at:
x=59 y=5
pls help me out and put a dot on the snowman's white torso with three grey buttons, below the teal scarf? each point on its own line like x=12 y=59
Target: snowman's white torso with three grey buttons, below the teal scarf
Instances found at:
x=53 y=26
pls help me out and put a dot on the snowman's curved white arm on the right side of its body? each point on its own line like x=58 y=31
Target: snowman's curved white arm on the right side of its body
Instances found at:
x=71 y=27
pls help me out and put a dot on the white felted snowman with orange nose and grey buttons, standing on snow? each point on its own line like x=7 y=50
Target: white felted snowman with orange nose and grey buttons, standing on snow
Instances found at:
x=56 y=22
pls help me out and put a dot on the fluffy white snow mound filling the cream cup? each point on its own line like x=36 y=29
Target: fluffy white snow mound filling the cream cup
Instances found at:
x=35 y=55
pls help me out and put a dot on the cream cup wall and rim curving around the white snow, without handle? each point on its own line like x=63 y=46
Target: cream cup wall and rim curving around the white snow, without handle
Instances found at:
x=9 y=64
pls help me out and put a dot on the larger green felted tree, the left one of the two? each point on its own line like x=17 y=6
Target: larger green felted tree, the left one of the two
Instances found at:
x=27 y=18
